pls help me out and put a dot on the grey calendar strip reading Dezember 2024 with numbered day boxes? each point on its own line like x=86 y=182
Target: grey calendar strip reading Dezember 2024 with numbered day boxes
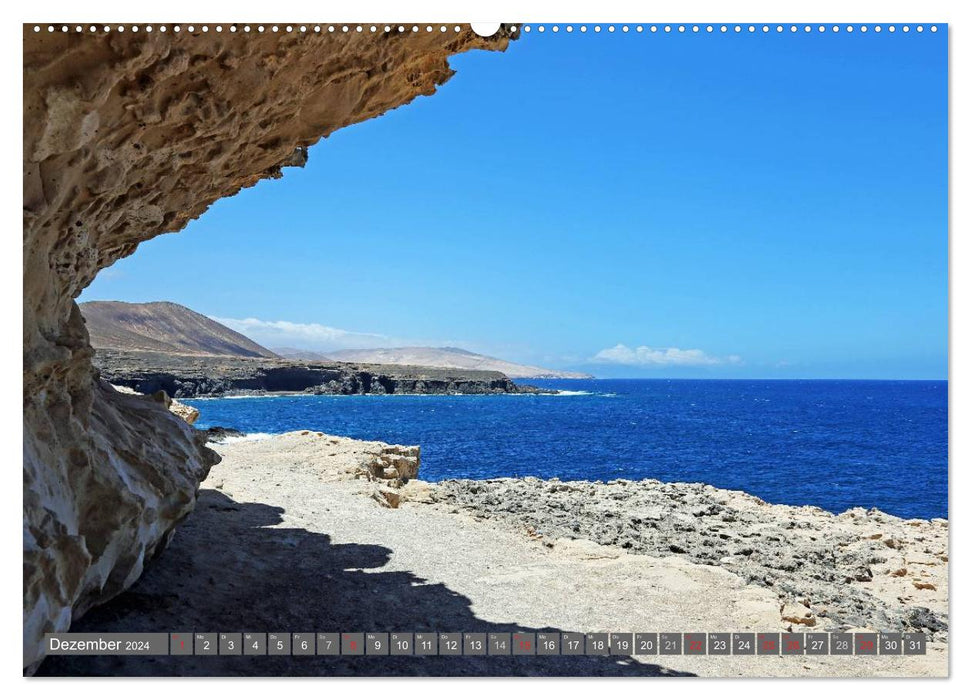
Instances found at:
x=488 y=644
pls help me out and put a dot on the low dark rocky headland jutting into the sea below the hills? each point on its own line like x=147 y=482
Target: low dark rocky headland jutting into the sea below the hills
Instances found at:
x=195 y=376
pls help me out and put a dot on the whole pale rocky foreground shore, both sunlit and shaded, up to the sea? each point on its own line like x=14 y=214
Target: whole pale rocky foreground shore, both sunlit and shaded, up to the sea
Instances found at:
x=309 y=531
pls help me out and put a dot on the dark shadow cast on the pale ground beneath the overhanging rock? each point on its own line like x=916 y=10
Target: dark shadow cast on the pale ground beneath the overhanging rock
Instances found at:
x=226 y=570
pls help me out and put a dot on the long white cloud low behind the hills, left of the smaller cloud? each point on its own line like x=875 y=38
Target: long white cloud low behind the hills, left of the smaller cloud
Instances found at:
x=305 y=336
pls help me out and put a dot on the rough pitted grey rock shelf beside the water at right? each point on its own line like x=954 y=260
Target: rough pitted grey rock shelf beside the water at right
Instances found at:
x=861 y=569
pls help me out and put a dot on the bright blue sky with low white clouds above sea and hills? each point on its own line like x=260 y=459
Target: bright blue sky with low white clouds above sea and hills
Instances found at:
x=642 y=205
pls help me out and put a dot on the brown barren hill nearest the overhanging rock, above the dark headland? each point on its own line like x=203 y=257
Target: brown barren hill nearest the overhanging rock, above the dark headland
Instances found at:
x=161 y=326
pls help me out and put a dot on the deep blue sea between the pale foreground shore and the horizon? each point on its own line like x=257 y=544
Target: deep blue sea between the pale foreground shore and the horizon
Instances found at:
x=834 y=444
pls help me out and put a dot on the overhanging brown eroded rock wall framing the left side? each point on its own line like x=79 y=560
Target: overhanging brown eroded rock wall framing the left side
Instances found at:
x=128 y=136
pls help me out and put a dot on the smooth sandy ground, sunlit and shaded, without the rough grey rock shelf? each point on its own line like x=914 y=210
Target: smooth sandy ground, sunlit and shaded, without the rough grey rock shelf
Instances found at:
x=287 y=537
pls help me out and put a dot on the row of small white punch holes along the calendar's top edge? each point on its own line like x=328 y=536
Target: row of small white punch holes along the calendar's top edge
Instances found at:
x=569 y=28
